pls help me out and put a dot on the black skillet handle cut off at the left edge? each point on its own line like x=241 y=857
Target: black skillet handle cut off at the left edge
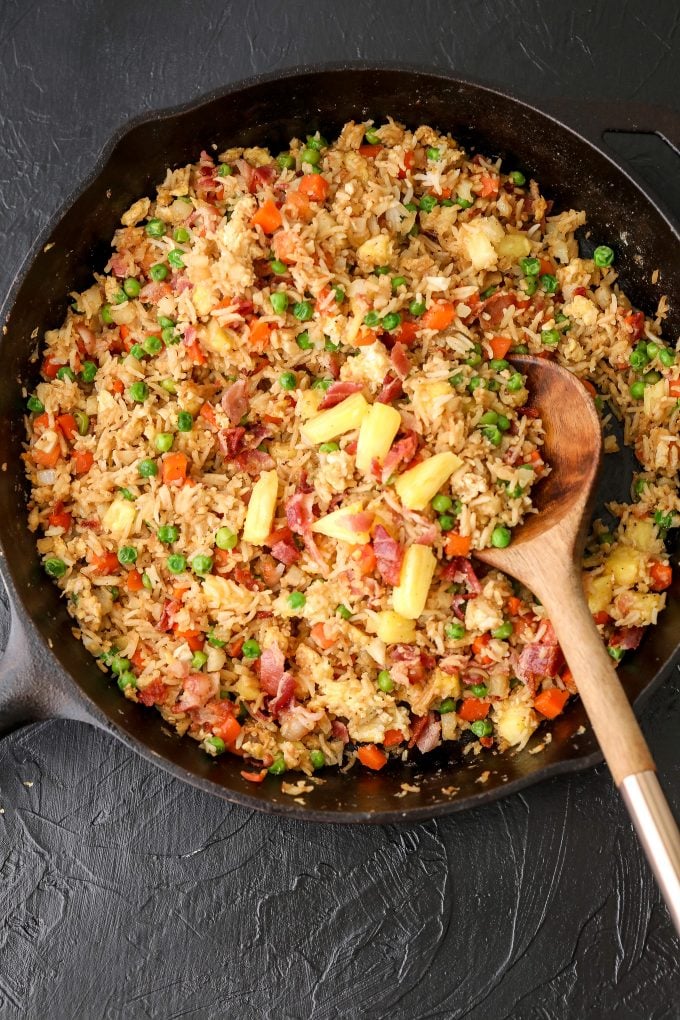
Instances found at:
x=32 y=687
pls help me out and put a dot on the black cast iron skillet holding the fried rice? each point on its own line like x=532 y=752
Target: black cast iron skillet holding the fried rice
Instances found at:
x=46 y=672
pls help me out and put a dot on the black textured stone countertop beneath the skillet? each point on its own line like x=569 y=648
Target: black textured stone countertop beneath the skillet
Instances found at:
x=125 y=894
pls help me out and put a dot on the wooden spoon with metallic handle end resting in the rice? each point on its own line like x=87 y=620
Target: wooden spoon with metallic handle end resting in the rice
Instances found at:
x=546 y=555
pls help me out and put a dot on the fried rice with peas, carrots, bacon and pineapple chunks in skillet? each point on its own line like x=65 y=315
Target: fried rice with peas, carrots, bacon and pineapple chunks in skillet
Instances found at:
x=274 y=431
